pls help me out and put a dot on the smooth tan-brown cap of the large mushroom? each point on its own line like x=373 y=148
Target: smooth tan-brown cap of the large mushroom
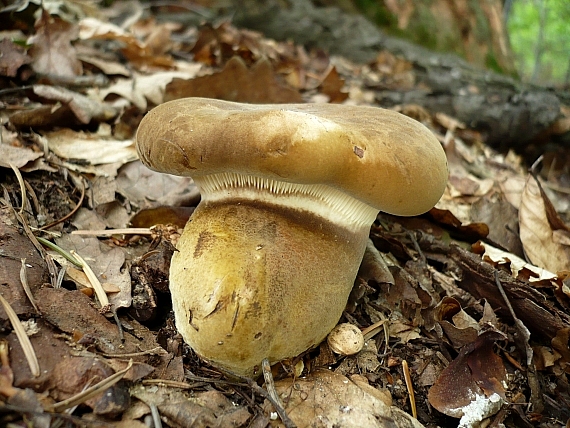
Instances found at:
x=383 y=158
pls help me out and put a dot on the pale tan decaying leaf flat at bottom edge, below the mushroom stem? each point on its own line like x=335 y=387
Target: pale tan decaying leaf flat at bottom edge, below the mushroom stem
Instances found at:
x=328 y=399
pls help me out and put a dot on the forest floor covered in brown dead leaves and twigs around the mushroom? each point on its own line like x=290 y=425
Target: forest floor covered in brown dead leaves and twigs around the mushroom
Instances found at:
x=465 y=310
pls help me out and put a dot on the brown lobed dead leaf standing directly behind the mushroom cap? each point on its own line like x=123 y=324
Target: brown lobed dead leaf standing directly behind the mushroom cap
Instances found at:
x=236 y=82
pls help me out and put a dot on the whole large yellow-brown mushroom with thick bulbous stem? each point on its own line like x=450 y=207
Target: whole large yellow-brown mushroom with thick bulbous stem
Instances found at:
x=265 y=264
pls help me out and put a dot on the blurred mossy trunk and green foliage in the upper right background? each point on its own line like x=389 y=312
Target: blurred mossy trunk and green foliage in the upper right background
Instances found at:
x=537 y=32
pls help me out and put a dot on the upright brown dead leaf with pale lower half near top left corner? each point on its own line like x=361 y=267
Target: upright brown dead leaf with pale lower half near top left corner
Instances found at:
x=52 y=52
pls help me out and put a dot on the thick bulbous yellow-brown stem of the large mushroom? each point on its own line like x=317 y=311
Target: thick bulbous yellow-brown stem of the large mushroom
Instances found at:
x=253 y=278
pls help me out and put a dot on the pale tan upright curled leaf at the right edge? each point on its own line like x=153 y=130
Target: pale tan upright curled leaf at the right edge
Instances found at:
x=538 y=223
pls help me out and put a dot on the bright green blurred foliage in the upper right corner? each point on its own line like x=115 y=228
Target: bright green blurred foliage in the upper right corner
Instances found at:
x=539 y=31
